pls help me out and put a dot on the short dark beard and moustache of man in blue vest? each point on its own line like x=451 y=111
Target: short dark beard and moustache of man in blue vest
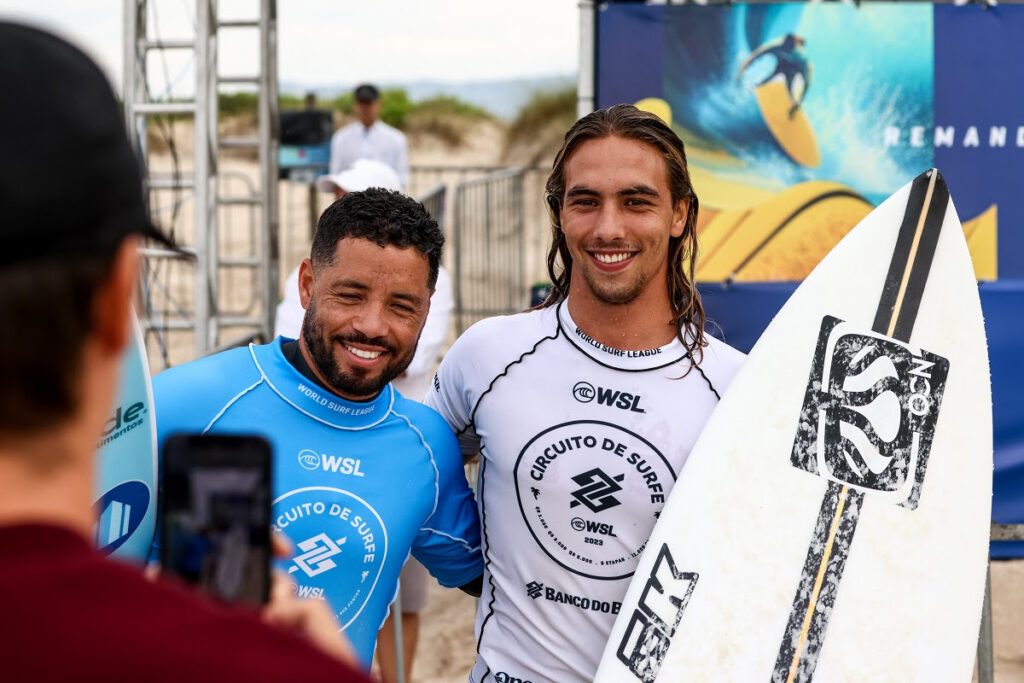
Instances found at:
x=321 y=350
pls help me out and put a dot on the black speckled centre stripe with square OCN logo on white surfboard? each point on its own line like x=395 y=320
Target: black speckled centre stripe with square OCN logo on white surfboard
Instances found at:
x=919 y=391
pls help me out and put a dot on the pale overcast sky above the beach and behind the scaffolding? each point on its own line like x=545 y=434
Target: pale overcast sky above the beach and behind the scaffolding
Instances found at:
x=345 y=41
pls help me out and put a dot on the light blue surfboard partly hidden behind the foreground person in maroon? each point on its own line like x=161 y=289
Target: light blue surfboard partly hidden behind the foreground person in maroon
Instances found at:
x=126 y=482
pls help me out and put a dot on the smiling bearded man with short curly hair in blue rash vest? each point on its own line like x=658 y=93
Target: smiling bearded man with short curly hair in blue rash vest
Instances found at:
x=362 y=476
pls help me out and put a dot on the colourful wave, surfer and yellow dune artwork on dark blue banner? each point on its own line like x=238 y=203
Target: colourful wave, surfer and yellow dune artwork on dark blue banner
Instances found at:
x=777 y=196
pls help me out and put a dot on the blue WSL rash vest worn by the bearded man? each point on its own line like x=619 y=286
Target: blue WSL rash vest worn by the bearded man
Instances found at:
x=357 y=486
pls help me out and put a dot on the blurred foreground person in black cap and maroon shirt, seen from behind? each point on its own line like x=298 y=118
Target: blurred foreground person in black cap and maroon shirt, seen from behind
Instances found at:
x=69 y=264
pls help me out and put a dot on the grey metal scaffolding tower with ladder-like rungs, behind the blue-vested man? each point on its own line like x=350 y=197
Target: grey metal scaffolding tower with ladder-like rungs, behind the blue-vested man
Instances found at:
x=205 y=309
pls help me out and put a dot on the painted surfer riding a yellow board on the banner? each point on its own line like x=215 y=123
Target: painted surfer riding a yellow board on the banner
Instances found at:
x=781 y=95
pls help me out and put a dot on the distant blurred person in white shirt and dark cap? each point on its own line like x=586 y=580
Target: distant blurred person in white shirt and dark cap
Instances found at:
x=370 y=138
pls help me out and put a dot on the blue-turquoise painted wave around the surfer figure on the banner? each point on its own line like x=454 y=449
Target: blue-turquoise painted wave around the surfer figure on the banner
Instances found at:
x=858 y=90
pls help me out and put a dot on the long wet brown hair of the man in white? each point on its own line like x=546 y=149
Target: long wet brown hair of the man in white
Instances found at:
x=629 y=122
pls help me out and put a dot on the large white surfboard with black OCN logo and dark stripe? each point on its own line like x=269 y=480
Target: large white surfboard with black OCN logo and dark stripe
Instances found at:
x=833 y=520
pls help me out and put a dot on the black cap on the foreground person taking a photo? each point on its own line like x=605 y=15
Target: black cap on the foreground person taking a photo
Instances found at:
x=70 y=183
